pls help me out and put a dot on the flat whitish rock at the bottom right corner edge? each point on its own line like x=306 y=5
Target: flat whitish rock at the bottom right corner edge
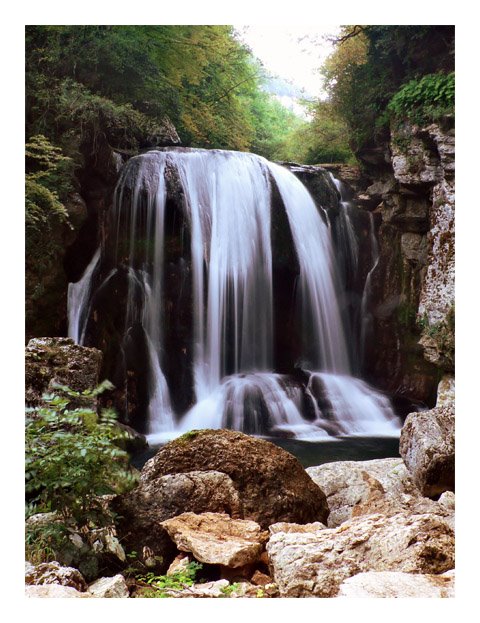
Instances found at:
x=399 y=585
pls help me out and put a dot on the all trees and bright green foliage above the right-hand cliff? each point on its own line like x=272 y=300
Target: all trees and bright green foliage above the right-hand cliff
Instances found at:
x=377 y=72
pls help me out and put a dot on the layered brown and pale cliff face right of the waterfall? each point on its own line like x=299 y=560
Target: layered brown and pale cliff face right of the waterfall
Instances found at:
x=413 y=285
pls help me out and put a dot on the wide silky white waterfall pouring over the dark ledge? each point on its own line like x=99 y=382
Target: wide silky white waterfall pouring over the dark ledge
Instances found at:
x=227 y=206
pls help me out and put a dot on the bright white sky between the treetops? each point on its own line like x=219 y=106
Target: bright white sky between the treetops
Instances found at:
x=293 y=52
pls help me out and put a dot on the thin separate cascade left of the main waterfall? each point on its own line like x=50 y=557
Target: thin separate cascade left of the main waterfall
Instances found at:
x=78 y=298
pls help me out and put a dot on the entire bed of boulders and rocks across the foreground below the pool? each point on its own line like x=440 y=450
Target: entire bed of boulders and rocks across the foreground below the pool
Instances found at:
x=260 y=525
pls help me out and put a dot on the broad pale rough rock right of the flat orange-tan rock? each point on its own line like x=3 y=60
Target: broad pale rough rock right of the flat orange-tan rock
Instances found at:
x=315 y=564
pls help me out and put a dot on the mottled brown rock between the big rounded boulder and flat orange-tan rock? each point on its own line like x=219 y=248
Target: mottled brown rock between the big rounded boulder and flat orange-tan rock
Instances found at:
x=141 y=511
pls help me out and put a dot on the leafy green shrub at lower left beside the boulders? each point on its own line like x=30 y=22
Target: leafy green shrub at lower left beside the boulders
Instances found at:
x=72 y=457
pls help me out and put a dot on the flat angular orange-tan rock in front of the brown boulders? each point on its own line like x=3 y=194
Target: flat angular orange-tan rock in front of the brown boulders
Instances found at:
x=217 y=539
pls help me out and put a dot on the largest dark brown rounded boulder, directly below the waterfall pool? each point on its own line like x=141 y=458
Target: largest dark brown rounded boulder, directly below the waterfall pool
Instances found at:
x=271 y=483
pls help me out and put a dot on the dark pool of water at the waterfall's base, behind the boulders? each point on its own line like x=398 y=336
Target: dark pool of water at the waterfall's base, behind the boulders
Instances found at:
x=315 y=453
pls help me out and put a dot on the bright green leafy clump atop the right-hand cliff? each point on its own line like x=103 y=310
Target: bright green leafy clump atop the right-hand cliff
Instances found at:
x=424 y=99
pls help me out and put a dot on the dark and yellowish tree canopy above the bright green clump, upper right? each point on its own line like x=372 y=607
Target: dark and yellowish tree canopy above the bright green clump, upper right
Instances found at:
x=371 y=63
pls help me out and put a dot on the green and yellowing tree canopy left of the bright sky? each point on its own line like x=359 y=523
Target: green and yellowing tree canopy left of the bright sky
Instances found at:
x=127 y=78
